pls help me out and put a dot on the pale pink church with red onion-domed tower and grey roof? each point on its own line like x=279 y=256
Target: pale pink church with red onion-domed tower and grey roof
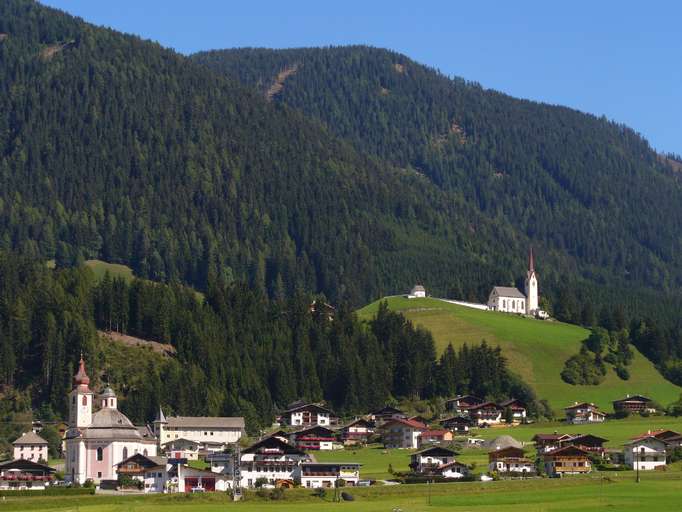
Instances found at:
x=97 y=441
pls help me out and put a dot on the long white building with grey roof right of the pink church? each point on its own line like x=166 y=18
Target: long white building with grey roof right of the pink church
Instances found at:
x=212 y=433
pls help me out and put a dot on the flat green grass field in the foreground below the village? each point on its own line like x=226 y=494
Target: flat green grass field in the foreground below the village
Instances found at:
x=656 y=492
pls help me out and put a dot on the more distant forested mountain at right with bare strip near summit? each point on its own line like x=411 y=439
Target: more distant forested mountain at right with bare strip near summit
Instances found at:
x=589 y=192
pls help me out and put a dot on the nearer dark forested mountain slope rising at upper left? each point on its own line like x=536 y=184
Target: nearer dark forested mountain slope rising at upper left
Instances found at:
x=116 y=148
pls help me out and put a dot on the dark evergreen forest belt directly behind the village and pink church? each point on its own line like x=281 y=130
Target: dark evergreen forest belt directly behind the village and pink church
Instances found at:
x=237 y=352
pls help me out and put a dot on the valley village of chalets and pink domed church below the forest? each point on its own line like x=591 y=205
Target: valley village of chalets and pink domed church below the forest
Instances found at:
x=180 y=454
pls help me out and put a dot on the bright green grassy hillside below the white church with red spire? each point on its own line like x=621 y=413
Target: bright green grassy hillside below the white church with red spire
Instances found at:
x=536 y=350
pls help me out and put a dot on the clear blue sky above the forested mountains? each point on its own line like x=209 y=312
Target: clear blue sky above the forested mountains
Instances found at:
x=616 y=58
